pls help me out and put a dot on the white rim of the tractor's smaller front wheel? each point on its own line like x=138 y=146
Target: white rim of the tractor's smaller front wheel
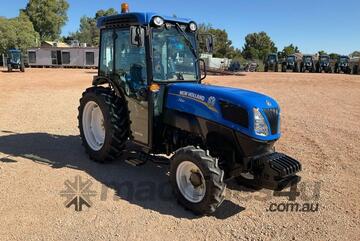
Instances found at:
x=191 y=181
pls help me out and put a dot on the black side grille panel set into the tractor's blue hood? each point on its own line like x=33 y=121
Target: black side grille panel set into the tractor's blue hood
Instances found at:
x=234 y=114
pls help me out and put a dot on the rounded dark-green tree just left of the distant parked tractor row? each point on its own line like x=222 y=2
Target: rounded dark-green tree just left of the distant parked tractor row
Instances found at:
x=258 y=45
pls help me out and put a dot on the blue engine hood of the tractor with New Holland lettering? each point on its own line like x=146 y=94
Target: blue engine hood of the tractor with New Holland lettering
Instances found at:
x=204 y=101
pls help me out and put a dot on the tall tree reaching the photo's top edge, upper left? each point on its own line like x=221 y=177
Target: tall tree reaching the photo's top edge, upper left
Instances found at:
x=48 y=17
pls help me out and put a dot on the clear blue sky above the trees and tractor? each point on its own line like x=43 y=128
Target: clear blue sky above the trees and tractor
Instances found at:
x=313 y=25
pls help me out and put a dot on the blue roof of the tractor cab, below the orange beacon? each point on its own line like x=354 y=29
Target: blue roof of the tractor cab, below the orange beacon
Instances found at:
x=136 y=19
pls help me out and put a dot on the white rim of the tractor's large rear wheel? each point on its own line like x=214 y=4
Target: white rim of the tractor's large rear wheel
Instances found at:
x=93 y=125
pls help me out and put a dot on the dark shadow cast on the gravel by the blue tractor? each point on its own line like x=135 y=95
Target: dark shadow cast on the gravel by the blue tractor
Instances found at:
x=146 y=185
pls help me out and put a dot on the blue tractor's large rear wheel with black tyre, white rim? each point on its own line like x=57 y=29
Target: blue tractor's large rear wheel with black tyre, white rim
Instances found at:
x=104 y=124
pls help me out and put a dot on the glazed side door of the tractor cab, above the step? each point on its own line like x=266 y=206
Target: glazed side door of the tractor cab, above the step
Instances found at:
x=130 y=73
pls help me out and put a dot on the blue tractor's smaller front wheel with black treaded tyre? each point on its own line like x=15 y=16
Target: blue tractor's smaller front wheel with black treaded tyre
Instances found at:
x=197 y=180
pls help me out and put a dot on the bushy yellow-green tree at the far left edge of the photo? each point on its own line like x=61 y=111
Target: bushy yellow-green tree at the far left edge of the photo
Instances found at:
x=17 y=33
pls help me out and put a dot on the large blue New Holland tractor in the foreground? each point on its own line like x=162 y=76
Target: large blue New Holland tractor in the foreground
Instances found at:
x=212 y=133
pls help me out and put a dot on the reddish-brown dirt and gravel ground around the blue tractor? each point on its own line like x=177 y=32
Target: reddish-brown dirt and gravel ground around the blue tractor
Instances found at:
x=40 y=150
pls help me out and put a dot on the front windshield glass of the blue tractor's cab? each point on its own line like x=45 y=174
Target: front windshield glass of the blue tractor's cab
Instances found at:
x=174 y=59
